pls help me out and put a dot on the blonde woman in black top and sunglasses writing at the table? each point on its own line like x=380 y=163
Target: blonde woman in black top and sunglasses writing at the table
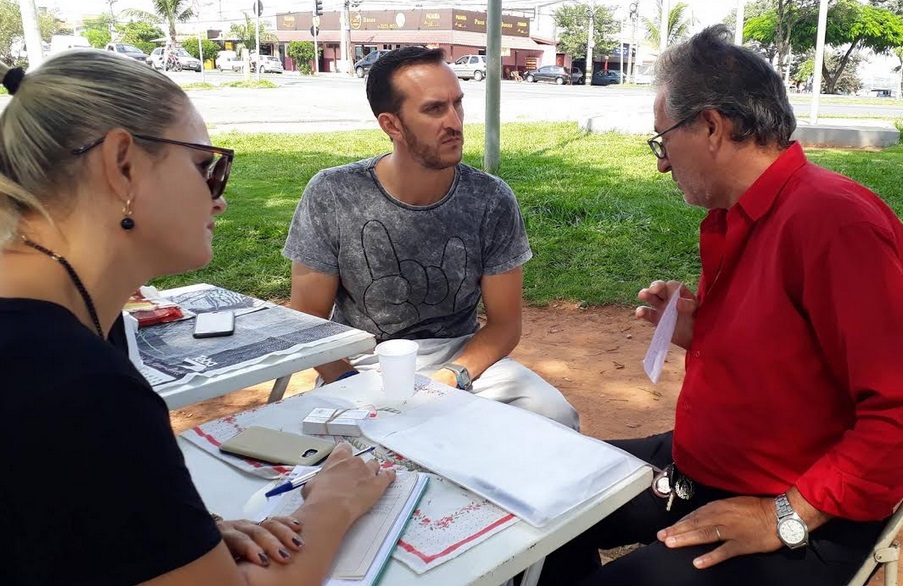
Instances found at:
x=108 y=179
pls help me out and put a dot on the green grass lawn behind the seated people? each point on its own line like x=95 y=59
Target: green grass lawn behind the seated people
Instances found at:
x=602 y=222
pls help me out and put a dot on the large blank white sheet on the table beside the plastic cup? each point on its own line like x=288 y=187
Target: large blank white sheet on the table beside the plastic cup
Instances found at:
x=521 y=461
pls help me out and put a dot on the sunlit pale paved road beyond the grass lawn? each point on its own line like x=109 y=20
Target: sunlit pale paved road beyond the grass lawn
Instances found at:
x=332 y=102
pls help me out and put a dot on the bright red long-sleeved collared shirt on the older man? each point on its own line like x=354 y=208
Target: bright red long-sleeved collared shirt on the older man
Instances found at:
x=795 y=372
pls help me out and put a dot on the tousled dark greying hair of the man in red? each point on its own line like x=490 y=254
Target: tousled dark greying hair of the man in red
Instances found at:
x=709 y=72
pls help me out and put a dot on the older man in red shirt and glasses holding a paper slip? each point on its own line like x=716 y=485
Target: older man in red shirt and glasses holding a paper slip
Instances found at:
x=787 y=450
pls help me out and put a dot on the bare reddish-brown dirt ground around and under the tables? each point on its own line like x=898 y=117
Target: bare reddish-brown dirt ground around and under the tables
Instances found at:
x=593 y=355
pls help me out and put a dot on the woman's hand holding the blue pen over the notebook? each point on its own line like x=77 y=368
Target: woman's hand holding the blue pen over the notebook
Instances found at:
x=347 y=485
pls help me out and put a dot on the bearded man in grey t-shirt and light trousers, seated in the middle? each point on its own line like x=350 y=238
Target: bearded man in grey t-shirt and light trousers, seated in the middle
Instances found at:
x=406 y=244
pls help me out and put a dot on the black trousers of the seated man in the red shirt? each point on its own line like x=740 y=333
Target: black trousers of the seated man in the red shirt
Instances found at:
x=834 y=554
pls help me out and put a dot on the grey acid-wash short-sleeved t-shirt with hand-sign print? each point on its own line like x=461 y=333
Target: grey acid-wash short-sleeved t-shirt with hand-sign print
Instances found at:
x=407 y=271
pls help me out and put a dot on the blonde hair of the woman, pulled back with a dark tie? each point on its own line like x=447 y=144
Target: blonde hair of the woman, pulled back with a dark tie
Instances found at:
x=70 y=100
